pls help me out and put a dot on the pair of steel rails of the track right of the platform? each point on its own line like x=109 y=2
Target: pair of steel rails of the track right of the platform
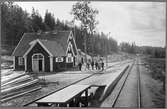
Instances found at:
x=139 y=103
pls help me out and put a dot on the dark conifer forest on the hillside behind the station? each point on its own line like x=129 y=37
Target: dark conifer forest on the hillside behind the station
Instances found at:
x=16 y=22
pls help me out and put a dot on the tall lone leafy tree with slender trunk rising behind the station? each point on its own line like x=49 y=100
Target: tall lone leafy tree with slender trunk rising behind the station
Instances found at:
x=84 y=13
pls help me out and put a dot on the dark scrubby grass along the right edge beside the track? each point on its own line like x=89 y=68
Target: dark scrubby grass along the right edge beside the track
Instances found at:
x=157 y=72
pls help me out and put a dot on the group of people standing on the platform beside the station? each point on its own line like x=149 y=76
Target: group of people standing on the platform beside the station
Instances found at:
x=94 y=64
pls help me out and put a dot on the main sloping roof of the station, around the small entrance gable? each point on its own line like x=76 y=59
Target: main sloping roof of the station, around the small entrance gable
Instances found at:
x=56 y=43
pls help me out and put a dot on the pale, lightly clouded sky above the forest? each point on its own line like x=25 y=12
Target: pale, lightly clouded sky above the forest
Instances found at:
x=139 y=22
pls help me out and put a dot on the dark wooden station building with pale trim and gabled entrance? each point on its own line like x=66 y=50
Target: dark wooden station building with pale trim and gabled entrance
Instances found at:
x=45 y=52
